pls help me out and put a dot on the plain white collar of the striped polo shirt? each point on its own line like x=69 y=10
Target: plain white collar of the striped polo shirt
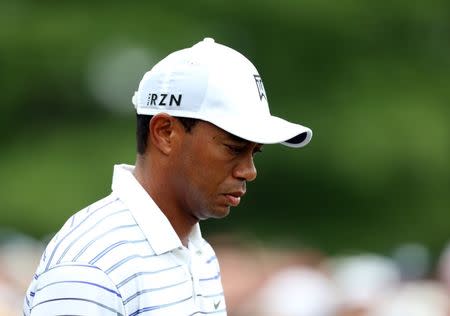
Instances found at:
x=152 y=221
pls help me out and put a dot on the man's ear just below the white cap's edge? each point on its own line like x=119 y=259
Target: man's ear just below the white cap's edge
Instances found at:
x=163 y=129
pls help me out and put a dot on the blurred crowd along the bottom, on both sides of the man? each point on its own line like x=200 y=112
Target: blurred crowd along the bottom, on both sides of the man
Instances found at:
x=274 y=281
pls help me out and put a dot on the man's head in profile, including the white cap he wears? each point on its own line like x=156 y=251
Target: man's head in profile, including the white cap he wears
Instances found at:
x=202 y=115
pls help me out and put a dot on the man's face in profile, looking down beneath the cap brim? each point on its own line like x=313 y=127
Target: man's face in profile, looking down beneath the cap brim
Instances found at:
x=210 y=170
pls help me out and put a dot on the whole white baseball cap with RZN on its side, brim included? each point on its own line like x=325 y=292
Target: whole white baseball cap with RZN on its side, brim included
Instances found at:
x=217 y=84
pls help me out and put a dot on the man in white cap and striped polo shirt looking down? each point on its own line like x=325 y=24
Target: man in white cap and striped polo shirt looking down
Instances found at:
x=202 y=114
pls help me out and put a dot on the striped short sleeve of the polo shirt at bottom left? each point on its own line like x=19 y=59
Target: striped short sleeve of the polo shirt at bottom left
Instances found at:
x=74 y=289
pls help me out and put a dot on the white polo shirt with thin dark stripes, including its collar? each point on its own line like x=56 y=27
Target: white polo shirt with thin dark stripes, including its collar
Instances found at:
x=121 y=256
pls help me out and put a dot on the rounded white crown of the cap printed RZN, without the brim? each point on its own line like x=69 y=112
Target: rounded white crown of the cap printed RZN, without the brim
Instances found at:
x=205 y=81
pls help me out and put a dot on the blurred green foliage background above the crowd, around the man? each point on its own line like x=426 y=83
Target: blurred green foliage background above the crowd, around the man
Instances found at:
x=371 y=78
